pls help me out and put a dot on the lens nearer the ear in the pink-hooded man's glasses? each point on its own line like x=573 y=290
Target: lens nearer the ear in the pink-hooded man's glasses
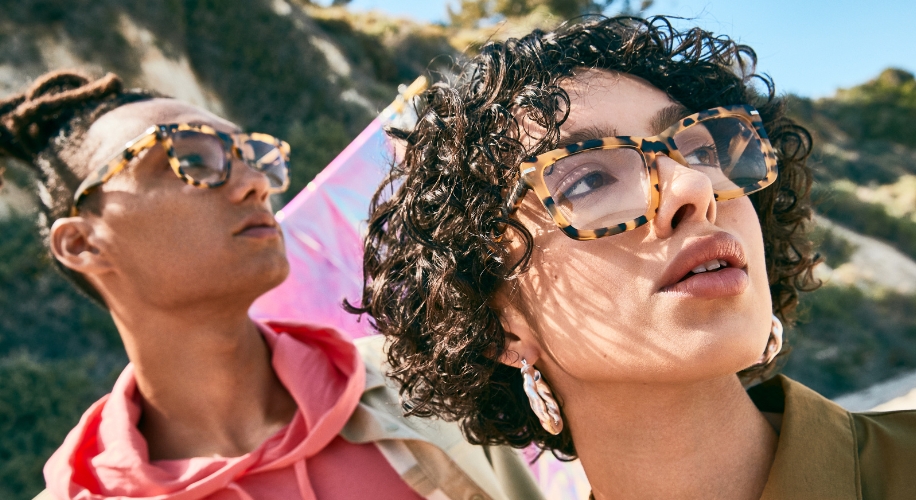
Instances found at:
x=202 y=157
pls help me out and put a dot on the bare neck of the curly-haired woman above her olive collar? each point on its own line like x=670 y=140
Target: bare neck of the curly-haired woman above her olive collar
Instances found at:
x=700 y=440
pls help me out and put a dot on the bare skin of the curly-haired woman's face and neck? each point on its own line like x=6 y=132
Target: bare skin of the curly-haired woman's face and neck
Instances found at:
x=646 y=375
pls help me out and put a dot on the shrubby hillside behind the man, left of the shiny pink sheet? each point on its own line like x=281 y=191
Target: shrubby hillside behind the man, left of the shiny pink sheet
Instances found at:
x=315 y=77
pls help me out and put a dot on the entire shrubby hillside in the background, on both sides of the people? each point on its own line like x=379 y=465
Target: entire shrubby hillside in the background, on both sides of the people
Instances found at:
x=316 y=77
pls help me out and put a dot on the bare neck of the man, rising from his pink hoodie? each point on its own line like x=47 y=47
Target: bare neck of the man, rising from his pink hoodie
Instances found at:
x=205 y=378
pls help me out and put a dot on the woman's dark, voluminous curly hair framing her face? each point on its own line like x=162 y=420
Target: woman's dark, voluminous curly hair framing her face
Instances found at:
x=435 y=255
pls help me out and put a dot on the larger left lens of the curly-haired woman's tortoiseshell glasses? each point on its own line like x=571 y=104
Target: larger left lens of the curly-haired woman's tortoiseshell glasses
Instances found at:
x=600 y=188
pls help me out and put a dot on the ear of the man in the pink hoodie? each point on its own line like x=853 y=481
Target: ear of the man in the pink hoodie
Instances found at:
x=75 y=244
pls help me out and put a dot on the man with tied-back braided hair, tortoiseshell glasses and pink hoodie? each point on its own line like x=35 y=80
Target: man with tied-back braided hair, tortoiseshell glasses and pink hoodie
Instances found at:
x=160 y=212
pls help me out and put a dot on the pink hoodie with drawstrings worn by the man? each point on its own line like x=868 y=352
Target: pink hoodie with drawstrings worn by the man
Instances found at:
x=105 y=456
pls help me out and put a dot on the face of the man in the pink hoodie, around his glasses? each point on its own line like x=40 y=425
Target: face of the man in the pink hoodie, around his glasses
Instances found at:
x=172 y=244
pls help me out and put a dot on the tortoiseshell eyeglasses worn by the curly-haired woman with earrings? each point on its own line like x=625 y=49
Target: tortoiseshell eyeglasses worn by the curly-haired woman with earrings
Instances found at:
x=603 y=187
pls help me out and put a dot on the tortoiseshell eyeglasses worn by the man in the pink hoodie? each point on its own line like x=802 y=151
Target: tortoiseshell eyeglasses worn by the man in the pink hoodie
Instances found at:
x=200 y=156
